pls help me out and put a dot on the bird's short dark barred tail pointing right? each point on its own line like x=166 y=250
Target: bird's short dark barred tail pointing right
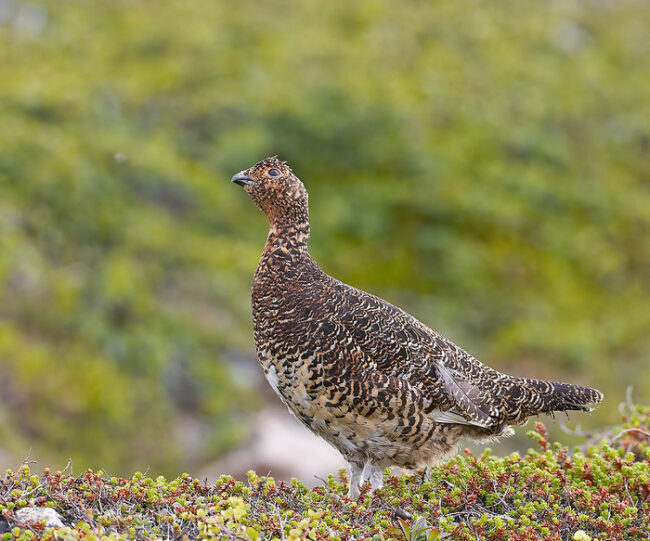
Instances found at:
x=548 y=396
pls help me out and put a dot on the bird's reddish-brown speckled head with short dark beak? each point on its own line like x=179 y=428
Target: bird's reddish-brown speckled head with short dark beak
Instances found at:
x=275 y=190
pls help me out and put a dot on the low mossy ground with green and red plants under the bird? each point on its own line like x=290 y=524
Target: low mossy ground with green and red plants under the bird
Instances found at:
x=602 y=491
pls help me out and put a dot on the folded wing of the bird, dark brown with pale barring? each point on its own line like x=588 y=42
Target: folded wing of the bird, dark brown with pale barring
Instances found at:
x=397 y=344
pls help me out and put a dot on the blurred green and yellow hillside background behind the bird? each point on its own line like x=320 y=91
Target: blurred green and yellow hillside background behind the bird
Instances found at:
x=482 y=164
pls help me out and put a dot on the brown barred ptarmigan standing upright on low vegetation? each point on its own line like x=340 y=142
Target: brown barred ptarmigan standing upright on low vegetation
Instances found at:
x=373 y=381
